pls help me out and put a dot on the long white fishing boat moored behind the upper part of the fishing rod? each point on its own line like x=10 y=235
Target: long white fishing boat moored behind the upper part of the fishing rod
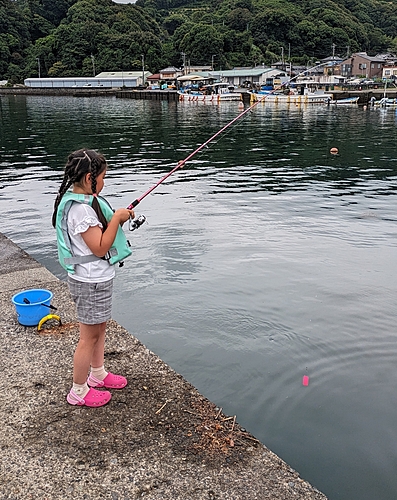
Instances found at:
x=291 y=96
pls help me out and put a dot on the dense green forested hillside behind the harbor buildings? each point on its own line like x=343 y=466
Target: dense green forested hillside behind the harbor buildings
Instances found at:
x=78 y=37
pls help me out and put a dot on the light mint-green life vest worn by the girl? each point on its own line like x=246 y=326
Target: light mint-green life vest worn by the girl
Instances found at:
x=118 y=251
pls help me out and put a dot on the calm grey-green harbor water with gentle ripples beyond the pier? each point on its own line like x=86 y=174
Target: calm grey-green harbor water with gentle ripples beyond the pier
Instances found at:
x=265 y=259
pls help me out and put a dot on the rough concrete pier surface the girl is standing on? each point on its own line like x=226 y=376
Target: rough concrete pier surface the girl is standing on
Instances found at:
x=157 y=439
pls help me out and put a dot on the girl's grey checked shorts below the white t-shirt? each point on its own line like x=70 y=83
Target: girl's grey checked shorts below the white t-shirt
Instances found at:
x=93 y=300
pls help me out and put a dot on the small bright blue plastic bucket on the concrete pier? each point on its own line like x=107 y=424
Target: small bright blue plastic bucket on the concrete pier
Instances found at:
x=30 y=314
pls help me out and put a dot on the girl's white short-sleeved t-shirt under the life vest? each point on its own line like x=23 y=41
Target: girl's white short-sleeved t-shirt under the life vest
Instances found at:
x=81 y=217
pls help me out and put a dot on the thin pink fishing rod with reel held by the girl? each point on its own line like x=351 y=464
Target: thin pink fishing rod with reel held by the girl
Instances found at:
x=241 y=115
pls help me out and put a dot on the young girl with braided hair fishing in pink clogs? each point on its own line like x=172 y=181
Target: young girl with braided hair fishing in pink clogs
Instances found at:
x=90 y=242
